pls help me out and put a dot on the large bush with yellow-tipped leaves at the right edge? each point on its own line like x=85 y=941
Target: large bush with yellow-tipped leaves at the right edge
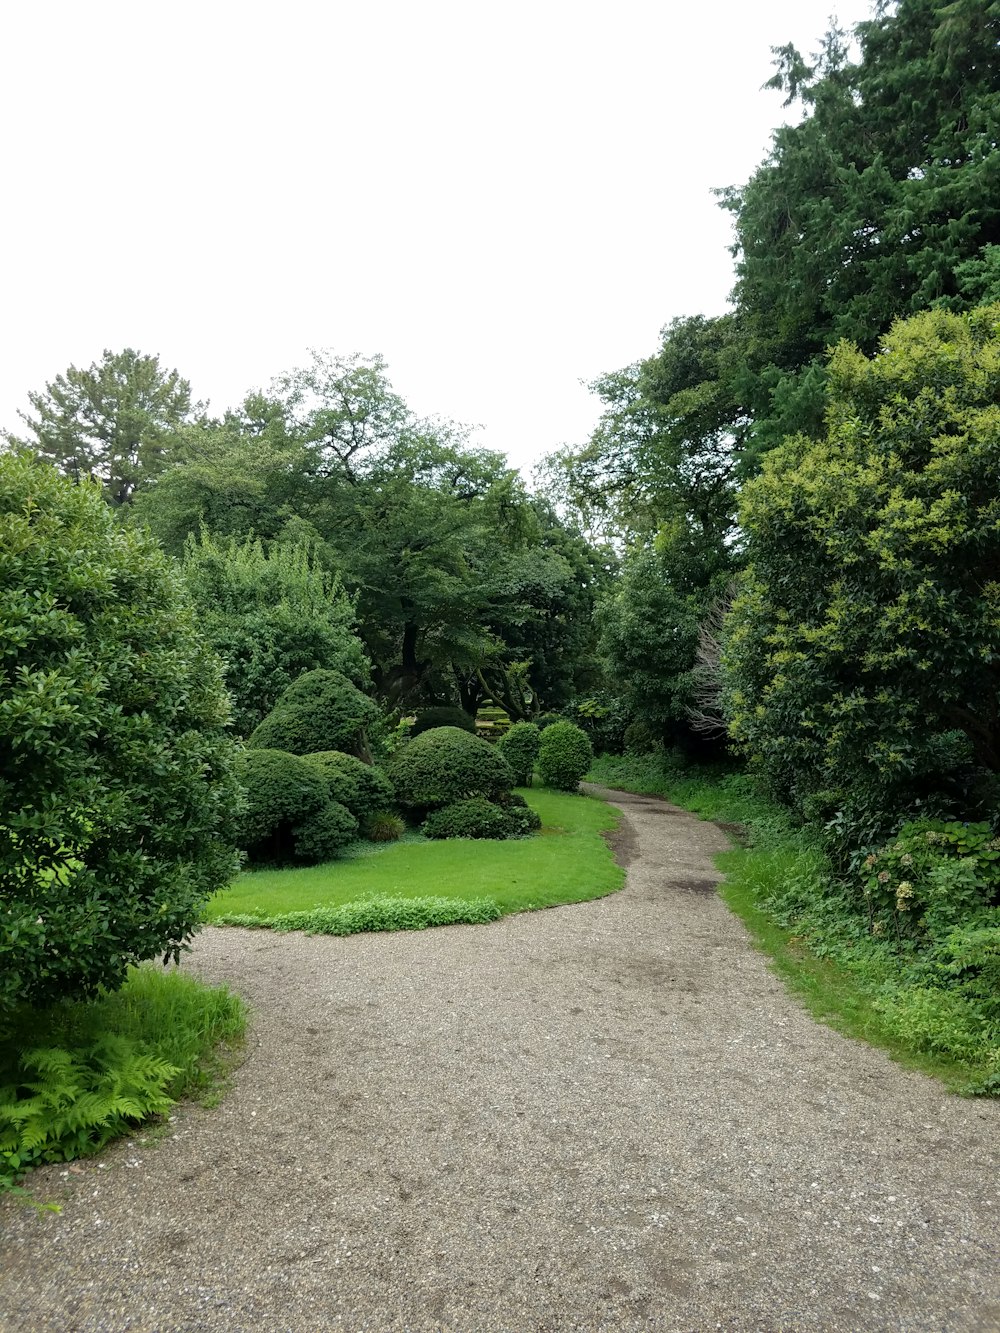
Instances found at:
x=862 y=649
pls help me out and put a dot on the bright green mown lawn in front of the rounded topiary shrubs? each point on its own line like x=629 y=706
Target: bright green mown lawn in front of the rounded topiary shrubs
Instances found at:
x=569 y=862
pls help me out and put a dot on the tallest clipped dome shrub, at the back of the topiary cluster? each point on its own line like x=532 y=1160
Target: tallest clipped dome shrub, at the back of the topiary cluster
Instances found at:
x=321 y=711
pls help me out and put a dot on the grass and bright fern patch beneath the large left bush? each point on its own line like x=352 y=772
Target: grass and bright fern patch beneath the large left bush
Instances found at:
x=79 y=1075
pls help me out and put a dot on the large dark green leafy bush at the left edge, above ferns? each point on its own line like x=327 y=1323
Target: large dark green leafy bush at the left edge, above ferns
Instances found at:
x=118 y=783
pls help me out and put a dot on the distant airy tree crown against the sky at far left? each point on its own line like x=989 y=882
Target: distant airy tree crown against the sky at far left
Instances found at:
x=113 y=422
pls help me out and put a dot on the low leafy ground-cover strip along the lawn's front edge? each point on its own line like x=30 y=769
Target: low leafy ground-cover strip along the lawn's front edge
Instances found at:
x=378 y=914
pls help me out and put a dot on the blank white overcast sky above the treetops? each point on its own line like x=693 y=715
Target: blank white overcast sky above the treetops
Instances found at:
x=502 y=199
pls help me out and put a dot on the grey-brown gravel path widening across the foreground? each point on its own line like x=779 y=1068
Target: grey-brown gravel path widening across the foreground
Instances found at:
x=606 y=1116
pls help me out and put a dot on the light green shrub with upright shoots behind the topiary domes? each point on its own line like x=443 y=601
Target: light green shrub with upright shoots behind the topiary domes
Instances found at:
x=271 y=614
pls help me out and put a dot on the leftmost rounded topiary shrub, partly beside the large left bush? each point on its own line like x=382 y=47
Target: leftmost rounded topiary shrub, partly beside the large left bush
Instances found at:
x=283 y=791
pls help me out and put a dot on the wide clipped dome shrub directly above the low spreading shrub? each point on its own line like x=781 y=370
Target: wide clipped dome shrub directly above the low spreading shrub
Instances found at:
x=446 y=766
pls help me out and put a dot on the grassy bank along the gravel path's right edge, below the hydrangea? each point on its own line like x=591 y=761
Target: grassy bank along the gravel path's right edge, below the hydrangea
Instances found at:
x=818 y=935
